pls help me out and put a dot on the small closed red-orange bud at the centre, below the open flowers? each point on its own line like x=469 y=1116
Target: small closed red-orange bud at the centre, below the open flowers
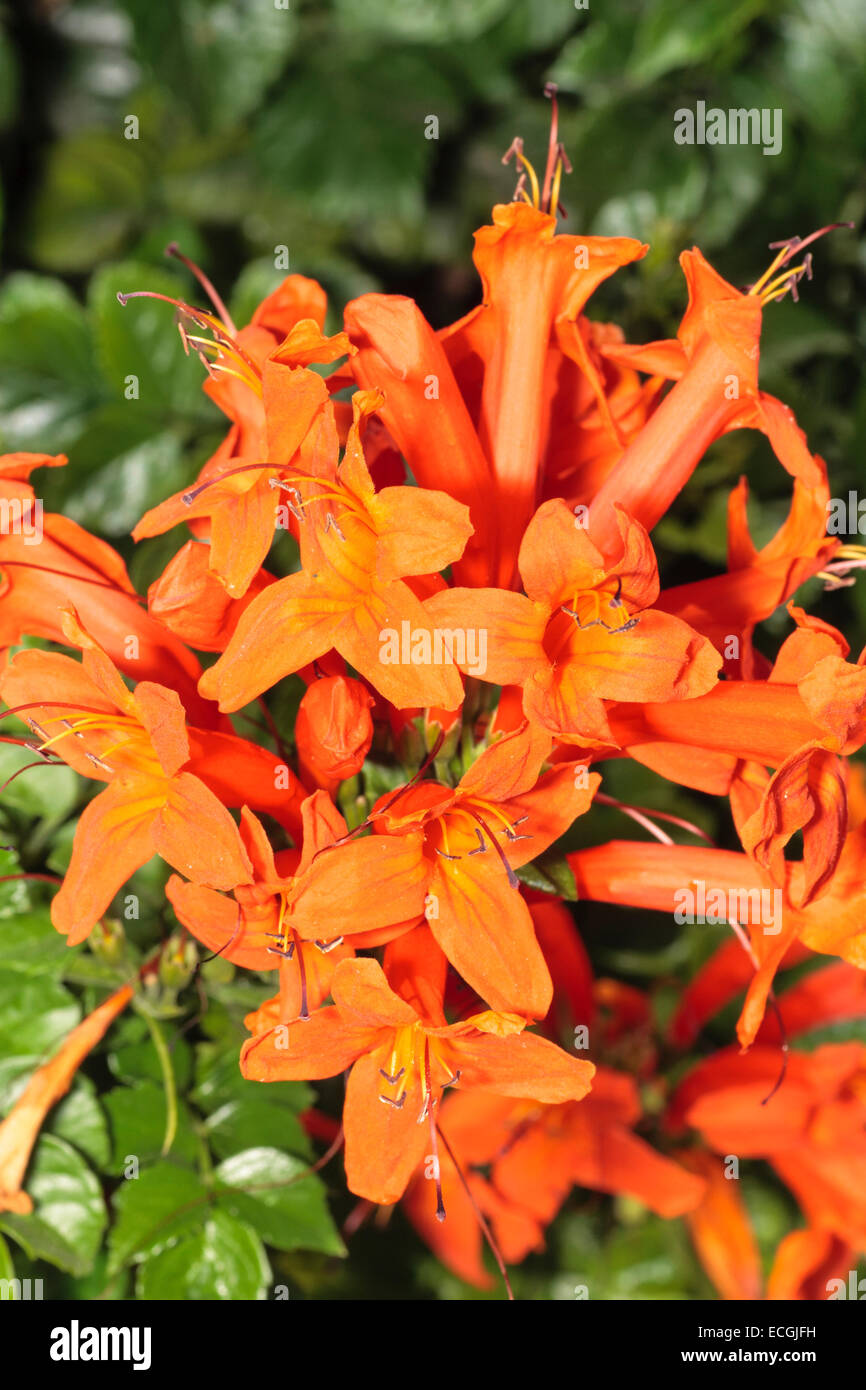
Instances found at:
x=334 y=730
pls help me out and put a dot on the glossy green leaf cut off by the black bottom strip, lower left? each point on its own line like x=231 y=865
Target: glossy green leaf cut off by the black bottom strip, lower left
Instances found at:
x=224 y=1261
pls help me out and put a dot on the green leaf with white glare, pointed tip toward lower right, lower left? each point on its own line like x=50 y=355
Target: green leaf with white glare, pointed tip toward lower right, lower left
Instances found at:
x=288 y=1210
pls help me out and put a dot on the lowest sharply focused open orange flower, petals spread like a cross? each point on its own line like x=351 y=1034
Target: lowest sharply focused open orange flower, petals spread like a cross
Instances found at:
x=402 y=1056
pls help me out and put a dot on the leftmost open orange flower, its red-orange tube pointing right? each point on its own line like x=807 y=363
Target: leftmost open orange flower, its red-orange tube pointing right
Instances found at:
x=165 y=787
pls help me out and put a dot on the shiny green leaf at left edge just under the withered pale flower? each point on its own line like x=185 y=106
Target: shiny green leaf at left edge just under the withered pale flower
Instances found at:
x=69 y=1210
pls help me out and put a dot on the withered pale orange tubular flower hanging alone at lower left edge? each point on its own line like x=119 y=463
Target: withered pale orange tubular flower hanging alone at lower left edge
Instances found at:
x=20 y=1129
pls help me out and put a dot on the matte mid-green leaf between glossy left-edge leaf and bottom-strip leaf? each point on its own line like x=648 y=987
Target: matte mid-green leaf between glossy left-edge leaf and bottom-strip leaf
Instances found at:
x=154 y=1213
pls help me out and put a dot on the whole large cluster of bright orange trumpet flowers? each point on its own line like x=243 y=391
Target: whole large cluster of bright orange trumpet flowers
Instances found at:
x=477 y=615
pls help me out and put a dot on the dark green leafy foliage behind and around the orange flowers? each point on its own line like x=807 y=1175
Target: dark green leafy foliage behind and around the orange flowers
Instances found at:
x=304 y=129
